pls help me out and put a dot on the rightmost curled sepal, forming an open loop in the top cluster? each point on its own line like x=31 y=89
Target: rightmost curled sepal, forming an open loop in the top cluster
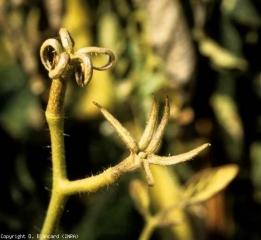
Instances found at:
x=97 y=50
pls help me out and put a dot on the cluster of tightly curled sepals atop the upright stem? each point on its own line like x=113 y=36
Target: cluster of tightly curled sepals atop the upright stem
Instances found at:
x=59 y=58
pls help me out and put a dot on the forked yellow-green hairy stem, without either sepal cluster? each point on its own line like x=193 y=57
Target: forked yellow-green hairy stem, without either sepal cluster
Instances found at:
x=62 y=188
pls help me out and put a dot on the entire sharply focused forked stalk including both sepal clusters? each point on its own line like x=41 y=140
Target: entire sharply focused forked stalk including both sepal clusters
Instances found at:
x=59 y=58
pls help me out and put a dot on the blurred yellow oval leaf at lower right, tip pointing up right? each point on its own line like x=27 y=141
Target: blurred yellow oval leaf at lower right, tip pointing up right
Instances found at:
x=208 y=182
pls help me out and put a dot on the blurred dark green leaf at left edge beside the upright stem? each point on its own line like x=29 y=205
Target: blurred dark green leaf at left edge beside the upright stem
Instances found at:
x=21 y=110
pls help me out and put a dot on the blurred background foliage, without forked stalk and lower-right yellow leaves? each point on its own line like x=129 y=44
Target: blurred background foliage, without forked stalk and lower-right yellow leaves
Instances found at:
x=203 y=54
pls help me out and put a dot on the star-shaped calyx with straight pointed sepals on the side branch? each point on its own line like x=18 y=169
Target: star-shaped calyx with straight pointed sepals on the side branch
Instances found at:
x=142 y=153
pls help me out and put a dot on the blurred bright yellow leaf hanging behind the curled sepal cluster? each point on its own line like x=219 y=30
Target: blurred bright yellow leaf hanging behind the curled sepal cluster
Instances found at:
x=78 y=20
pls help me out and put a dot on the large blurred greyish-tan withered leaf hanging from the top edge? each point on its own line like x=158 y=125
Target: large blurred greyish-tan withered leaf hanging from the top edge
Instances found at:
x=168 y=34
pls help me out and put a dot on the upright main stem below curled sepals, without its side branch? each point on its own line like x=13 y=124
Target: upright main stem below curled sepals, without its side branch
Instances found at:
x=55 y=119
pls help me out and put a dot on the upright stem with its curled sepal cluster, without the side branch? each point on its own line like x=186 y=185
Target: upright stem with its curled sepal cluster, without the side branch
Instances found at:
x=60 y=60
